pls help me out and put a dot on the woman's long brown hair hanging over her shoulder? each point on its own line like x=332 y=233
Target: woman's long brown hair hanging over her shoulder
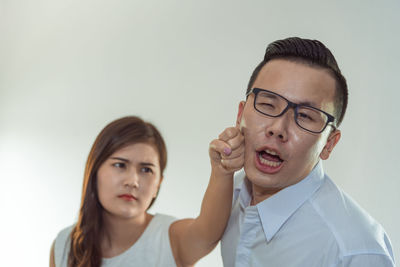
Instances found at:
x=85 y=248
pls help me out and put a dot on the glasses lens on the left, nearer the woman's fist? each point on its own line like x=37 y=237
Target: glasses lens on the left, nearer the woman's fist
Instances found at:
x=269 y=104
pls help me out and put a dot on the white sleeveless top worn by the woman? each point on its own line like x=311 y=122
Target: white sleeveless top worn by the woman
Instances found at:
x=151 y=249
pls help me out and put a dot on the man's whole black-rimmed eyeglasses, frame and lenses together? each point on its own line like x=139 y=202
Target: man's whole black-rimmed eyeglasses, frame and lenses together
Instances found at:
x=307 y=117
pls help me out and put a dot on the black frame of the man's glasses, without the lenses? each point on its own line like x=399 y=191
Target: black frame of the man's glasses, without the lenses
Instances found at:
x=290 y=104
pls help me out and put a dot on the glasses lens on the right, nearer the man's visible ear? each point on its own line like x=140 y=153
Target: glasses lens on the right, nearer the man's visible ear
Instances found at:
x=311 y=119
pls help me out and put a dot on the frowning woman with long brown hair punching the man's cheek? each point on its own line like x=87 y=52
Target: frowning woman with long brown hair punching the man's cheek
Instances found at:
x=123 y=174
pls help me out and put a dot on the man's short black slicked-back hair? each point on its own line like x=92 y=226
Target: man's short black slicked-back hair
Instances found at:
x=312 y=53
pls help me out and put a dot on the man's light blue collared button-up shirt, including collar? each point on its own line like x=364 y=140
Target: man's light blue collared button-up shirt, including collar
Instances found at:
x=309 y=224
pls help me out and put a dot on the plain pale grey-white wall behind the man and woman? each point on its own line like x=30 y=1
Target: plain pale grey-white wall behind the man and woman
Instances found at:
x=69 y=67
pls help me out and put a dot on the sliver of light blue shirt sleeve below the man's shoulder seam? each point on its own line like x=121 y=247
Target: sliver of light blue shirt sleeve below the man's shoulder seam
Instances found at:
x=367 y=260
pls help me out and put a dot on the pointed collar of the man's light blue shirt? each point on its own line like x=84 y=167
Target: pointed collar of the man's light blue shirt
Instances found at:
x=275 y=210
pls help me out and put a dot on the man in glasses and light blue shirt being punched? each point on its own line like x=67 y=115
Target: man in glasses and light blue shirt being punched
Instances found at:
x=286 y=212
